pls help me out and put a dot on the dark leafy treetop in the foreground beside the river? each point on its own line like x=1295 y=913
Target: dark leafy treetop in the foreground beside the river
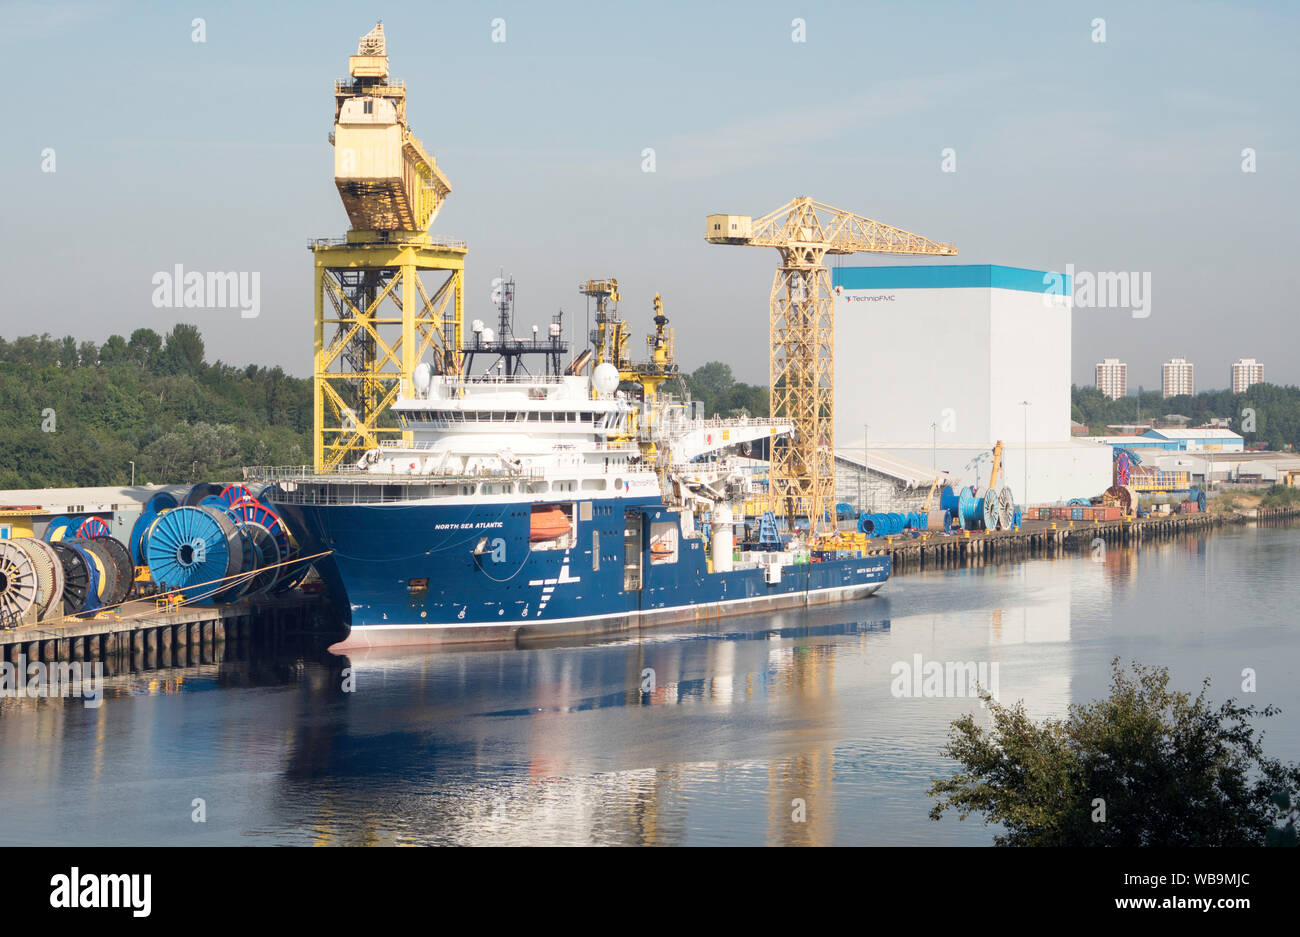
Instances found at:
x=1145 y=767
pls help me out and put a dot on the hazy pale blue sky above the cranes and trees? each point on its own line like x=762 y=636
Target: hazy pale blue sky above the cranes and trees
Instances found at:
x=1124 y=157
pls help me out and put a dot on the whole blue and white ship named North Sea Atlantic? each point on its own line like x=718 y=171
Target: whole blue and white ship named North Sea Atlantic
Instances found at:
x=556 y=504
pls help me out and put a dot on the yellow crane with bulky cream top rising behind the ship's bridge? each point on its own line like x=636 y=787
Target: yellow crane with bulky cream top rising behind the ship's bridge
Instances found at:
x=376 y=316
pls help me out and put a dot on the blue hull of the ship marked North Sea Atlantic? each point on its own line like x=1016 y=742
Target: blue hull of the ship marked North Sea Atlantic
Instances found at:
x=417 y=574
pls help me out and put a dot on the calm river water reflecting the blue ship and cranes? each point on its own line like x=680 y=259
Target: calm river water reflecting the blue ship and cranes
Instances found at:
x=787 y=730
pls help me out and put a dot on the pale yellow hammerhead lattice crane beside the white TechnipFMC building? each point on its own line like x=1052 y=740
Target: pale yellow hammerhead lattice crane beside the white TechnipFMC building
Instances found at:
x=801 y=367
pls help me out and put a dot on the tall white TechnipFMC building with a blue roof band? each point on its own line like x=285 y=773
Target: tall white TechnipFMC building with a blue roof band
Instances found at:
x=937 y=363
